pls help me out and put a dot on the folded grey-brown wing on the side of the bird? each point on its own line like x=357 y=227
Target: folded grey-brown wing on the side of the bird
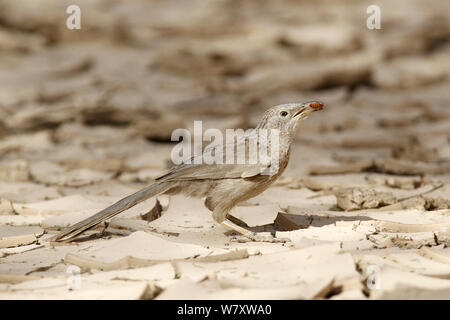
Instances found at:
x=201 y=171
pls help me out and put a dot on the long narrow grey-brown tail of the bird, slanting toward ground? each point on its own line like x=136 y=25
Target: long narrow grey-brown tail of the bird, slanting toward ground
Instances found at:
x=111 y=211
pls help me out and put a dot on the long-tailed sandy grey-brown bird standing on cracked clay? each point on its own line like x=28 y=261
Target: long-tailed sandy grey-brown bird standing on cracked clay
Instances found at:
x=223 y=185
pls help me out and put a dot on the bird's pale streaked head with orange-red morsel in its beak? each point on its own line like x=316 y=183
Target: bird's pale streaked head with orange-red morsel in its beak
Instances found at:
x=286 y=117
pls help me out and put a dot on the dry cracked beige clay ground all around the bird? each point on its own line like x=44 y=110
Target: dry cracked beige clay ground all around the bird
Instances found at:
x=86 y=116
